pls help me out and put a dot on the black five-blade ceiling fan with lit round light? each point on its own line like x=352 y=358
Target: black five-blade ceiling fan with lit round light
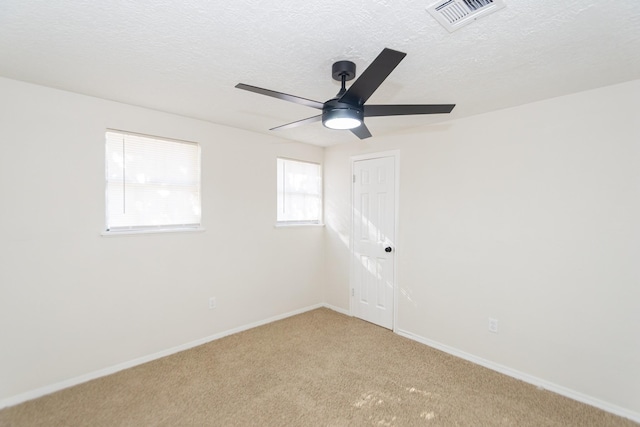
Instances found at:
x=347 y=109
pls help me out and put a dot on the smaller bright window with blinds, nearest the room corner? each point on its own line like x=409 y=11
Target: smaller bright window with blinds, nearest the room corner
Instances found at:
x=299 y=192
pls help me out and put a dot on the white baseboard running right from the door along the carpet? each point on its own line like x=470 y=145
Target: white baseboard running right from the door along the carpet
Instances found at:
x=547 y=385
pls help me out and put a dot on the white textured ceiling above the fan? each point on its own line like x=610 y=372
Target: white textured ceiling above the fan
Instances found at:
x=186 y=56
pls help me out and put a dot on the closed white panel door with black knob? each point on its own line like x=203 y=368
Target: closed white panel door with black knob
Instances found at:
x=373 y=240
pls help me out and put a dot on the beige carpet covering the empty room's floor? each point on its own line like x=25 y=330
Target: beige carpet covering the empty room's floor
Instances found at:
x=319 y=368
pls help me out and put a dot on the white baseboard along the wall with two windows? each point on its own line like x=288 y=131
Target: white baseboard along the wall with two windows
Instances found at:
x=51 y=388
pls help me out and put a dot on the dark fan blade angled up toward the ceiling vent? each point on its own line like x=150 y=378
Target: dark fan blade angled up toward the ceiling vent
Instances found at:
x=373 y=76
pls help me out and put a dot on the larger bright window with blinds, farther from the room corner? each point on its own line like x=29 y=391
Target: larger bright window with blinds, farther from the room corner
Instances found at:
x=152 y=184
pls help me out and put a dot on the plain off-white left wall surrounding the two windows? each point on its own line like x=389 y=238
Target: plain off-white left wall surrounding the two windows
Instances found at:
x=73 y=302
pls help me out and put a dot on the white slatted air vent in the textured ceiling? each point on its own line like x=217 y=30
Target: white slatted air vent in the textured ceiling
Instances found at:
x=453 y=14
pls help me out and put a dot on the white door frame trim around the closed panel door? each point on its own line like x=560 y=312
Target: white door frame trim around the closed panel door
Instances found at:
x=395 y=154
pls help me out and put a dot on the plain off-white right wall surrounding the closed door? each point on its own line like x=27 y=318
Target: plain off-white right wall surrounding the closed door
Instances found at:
x=530 y=215
